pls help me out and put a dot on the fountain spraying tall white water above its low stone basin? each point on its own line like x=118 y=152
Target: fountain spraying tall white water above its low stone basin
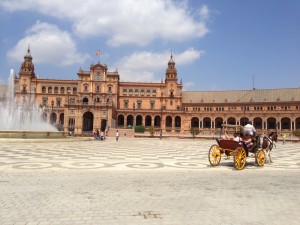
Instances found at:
x=23 y=119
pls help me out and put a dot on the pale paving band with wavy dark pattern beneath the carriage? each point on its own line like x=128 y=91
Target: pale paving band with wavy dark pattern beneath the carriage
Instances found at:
x=128 y=154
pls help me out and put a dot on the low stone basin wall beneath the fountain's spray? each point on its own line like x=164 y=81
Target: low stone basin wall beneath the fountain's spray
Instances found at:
x=26 y=134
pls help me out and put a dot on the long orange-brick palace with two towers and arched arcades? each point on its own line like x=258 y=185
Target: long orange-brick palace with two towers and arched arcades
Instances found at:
x=97 y=100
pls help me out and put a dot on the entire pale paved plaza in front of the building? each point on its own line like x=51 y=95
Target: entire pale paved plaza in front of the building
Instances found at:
x=143 y=181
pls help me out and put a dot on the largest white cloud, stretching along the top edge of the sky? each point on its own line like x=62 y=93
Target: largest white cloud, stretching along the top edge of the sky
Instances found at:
x=136 y=22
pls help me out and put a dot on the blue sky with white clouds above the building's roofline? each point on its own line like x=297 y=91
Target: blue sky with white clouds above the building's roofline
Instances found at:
x=216 y=44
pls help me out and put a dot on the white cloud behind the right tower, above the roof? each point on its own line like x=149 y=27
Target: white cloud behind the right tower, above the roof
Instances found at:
x=143 y=66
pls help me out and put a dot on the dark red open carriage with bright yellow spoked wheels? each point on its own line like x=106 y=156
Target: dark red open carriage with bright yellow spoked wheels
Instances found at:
x=238 y=150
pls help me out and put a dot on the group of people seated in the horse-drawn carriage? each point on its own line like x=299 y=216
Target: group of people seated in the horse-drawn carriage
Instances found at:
x=245 y=137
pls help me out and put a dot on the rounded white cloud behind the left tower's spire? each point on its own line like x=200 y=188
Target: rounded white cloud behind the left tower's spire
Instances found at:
x=49 y=45
